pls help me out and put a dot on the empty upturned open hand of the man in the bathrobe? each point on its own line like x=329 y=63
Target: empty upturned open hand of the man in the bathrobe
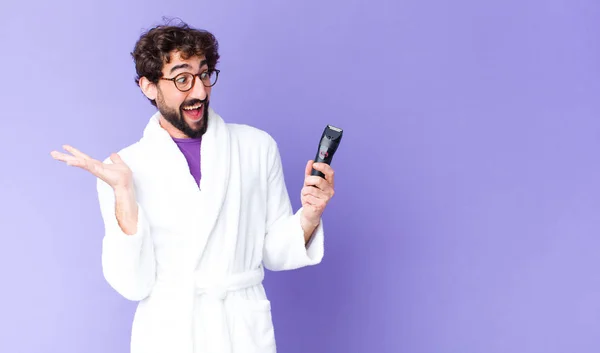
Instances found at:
x=117 y=174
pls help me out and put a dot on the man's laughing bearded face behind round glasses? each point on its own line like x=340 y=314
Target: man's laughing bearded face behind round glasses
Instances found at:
x=185 y=111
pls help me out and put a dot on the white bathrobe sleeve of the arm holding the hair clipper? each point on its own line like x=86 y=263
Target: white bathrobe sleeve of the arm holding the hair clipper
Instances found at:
x=284 y=247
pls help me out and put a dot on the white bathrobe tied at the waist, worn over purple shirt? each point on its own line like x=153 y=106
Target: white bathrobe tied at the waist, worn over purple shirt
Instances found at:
x=197 y=261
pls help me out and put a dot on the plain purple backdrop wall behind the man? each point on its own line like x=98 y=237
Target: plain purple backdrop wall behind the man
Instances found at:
x=467 y=213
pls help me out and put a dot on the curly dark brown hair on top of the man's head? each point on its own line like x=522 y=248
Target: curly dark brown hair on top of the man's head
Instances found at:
x=154 y=48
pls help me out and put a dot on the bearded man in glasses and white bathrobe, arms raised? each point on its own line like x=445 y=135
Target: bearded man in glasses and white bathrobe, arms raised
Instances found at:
x=197 y=208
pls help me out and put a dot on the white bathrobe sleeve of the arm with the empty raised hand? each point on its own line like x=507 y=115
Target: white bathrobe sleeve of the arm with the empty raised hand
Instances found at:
x=128 y=261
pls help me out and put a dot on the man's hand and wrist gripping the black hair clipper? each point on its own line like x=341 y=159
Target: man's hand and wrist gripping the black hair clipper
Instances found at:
x=315 y=195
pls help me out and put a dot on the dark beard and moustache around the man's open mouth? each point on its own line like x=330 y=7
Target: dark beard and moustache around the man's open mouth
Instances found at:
x=175 y=116
